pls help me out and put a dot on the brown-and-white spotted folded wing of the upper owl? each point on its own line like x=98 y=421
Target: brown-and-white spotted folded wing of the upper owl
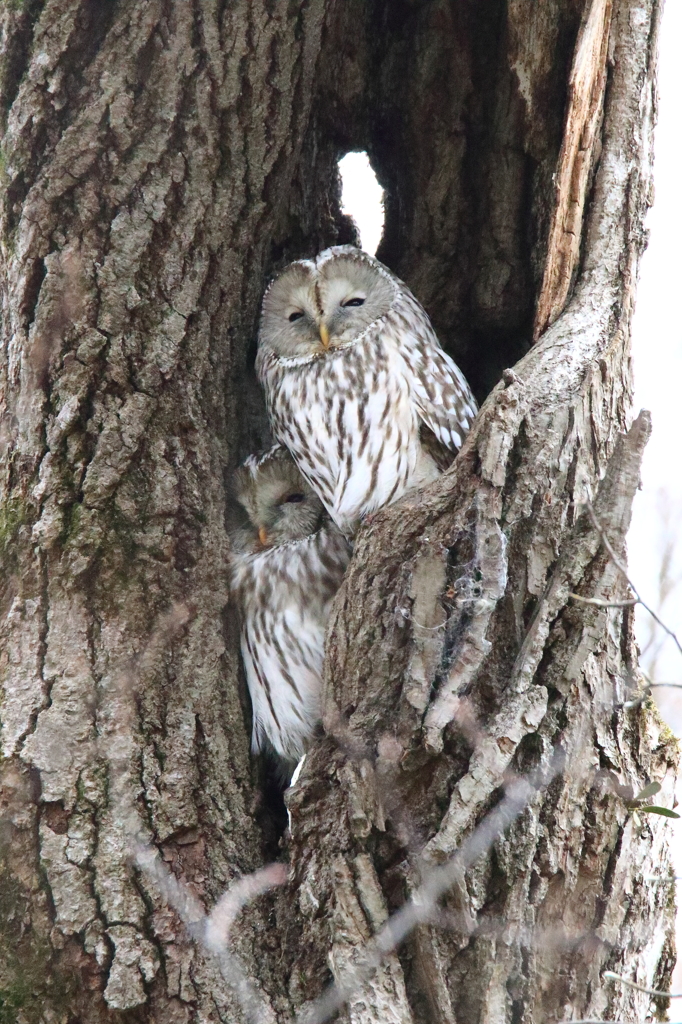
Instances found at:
x=442 y=395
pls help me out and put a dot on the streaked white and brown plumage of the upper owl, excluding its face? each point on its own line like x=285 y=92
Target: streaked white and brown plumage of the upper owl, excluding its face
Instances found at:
x=351 y=416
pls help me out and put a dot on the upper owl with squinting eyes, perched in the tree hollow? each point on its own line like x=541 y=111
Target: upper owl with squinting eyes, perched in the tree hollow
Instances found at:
x=355 y=377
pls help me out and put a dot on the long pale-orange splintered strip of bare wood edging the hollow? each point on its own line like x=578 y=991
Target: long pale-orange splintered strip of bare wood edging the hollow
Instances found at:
x=586 y=98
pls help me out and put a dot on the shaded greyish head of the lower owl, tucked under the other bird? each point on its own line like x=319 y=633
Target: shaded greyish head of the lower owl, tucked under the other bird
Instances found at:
x=278 y=504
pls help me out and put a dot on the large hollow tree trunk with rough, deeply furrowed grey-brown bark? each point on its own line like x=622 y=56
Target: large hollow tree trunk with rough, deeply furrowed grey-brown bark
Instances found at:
x=159 y=160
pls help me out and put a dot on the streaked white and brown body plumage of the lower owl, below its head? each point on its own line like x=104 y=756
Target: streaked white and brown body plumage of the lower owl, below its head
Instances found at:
x=284 y=596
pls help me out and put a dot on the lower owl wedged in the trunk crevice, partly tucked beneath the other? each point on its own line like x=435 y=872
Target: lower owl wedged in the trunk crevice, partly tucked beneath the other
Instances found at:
x=288 y=563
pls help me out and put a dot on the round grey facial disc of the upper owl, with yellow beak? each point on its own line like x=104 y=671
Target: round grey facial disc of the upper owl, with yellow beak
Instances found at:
x=318 y=306
